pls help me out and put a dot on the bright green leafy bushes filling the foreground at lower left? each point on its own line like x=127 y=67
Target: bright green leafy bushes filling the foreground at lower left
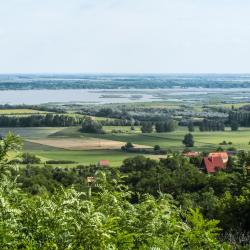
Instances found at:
x=103 y=219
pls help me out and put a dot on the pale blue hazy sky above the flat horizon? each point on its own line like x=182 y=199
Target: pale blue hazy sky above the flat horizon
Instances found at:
x=124 y=36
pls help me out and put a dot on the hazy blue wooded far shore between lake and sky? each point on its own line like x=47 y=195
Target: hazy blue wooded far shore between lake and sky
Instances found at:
x=125 y=82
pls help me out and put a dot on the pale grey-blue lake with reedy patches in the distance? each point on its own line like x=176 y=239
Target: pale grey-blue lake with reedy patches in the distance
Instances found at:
x=100 y=96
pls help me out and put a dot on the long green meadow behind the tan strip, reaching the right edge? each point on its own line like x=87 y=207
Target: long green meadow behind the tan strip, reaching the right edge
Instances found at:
x=173 y=140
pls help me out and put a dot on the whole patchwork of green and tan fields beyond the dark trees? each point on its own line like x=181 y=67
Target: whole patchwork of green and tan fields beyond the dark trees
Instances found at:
x=35 y=141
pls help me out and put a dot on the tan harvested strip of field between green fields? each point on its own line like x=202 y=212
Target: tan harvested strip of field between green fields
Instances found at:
x=83 y=143
